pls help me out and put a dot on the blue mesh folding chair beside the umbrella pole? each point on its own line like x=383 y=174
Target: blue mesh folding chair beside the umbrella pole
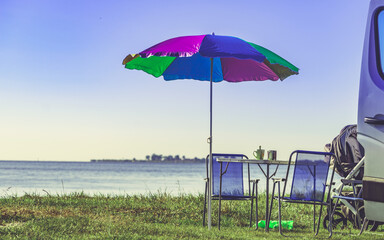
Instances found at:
x=232 y=187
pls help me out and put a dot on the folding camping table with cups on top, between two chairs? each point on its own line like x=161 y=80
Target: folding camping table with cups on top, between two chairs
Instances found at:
x=266 y=173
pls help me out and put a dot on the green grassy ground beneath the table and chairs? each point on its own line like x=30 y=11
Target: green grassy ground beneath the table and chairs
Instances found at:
x=150 y=216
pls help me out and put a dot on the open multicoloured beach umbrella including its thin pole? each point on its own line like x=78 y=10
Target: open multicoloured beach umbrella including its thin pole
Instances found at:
x=211 y=58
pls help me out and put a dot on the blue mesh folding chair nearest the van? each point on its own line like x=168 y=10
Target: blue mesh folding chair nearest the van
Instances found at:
x=309 y=183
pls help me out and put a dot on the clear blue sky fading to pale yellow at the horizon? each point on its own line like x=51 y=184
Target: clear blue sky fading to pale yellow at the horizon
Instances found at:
x=65 y=95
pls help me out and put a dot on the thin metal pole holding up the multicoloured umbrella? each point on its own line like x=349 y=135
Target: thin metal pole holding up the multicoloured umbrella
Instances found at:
x=210 y=155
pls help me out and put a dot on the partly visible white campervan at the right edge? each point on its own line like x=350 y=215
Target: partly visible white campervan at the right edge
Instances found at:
x=370 y=125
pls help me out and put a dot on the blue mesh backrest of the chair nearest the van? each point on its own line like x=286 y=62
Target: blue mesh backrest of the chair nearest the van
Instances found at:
x=310 y=175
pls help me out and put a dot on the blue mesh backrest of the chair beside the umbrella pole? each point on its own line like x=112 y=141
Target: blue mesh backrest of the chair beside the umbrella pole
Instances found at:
x=232 y=180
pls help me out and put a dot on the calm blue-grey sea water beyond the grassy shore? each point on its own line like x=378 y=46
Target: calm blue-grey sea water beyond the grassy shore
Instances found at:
x=18 y=178
